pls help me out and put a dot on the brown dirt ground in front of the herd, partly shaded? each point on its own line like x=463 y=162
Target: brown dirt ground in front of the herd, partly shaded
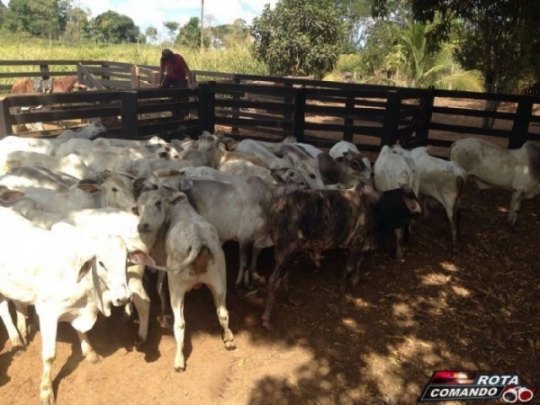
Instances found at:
x=474 y=307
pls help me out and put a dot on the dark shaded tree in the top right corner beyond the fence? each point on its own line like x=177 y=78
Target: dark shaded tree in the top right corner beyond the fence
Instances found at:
x=501 y=38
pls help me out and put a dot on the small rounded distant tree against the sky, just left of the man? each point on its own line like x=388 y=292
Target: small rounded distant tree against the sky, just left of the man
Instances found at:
x=116 y=28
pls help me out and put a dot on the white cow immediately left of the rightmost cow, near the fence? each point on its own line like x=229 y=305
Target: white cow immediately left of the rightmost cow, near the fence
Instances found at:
x=439 y=179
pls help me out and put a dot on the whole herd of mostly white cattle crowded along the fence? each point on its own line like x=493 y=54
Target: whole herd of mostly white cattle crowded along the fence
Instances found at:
x=97 y=212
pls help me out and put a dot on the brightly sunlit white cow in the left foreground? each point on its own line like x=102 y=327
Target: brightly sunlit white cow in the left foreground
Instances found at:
x=66 y=276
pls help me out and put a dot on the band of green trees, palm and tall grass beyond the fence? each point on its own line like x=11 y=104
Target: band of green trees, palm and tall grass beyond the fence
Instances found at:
x=472 y=45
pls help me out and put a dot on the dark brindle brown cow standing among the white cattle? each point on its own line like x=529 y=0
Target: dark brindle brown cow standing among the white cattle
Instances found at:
x=313 y=221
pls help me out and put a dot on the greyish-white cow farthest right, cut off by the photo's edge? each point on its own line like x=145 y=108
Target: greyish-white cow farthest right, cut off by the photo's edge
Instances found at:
x=517 y=170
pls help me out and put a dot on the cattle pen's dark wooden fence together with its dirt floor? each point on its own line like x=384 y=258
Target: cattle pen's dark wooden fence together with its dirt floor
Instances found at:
x=473 y=306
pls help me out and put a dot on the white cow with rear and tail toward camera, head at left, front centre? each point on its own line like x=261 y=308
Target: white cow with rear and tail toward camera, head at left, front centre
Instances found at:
x=193 y=255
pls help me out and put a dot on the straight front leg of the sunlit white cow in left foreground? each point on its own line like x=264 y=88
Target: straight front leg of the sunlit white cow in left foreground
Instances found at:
x=48 y=324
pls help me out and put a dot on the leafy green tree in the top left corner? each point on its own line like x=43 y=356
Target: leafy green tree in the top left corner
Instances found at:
x=43 y=18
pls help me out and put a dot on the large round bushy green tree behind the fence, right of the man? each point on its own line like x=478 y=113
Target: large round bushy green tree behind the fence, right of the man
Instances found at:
x=298 y=37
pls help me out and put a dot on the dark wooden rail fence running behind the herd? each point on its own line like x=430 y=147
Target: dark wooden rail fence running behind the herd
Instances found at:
x=266 y=107
